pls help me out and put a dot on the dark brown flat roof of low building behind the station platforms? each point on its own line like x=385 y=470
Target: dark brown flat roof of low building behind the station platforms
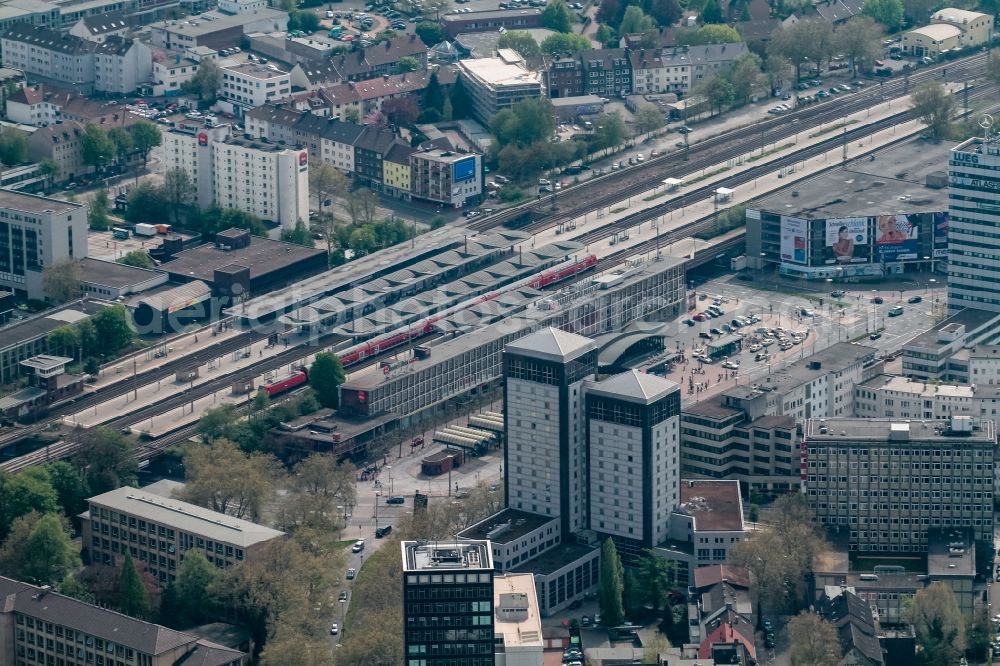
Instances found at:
x=262 y=256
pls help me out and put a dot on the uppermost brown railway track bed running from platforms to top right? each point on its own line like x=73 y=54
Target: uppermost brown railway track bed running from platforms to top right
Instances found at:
x=612 y=188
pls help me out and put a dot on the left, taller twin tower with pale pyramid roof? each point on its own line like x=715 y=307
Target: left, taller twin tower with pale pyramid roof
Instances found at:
x=545 y=458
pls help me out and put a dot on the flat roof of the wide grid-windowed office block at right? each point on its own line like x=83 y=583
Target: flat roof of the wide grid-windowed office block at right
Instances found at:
x=851 y=430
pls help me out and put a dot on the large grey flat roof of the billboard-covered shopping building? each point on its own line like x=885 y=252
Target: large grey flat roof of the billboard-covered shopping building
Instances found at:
x=892 y=183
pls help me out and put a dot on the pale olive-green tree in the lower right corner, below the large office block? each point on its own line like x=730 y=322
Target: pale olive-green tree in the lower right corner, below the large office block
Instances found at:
x=937 y=625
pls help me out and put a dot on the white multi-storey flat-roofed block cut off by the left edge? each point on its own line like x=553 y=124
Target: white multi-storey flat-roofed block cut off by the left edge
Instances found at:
x=35 y=232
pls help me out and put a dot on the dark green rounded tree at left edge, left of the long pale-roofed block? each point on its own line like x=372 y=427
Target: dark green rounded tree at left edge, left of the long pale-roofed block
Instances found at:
x=39 y=550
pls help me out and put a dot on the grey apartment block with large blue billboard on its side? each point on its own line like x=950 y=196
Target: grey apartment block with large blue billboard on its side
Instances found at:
x=446 y=177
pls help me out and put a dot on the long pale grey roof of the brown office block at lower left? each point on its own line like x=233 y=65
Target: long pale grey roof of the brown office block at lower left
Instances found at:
x=185 y=516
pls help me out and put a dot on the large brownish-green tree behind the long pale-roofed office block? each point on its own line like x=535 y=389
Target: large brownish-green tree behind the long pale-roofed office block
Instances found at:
x=224 y=479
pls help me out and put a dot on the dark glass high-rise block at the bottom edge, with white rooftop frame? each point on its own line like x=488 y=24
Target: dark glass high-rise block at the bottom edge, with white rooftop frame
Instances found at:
x=448 y=592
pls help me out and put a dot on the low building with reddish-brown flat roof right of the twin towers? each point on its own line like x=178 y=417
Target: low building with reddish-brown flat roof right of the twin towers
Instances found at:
x=706 y=523
